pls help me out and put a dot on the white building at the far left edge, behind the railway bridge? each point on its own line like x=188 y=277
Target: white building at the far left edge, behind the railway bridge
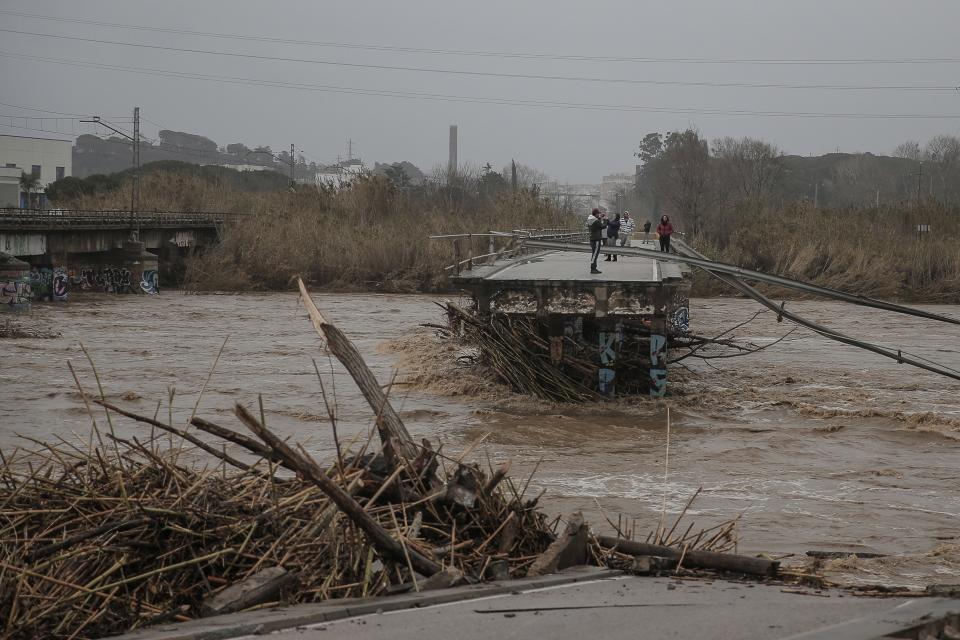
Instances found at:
x=47 y=159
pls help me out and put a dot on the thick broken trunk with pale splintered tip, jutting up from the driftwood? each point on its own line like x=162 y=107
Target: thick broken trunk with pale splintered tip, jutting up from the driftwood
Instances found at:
x=389 y=423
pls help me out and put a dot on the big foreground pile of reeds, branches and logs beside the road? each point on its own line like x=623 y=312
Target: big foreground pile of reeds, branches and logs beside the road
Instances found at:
x=127 y=532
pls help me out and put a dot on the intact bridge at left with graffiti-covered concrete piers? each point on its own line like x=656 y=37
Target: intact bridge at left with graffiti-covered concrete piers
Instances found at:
x=99 y=250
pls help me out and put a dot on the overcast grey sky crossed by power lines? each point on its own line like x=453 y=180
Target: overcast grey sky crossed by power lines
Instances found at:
x=572 y=144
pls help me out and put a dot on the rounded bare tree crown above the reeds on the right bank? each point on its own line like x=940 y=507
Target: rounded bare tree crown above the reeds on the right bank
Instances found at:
x=749 y=166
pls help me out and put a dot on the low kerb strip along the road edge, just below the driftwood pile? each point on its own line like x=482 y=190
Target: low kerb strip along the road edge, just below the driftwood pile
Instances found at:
x=234 y=625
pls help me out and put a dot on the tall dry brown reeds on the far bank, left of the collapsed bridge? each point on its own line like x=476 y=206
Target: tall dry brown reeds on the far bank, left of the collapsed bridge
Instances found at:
x=371 y=235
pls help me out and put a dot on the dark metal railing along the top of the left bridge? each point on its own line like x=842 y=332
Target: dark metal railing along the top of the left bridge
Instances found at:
x=11 y=217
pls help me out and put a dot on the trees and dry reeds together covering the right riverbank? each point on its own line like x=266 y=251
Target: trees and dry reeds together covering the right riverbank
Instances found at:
x=880 y=226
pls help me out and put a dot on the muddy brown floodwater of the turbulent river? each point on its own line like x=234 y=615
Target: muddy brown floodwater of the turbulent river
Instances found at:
x=813 y=444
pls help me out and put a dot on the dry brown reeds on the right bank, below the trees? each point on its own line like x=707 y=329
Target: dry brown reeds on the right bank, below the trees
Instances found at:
x=873 y=252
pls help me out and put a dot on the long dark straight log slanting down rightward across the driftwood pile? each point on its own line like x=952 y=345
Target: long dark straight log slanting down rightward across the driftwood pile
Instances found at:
x=379 y=536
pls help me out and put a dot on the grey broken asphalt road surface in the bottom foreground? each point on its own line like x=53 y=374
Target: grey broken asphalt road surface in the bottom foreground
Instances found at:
x=589 y=602
